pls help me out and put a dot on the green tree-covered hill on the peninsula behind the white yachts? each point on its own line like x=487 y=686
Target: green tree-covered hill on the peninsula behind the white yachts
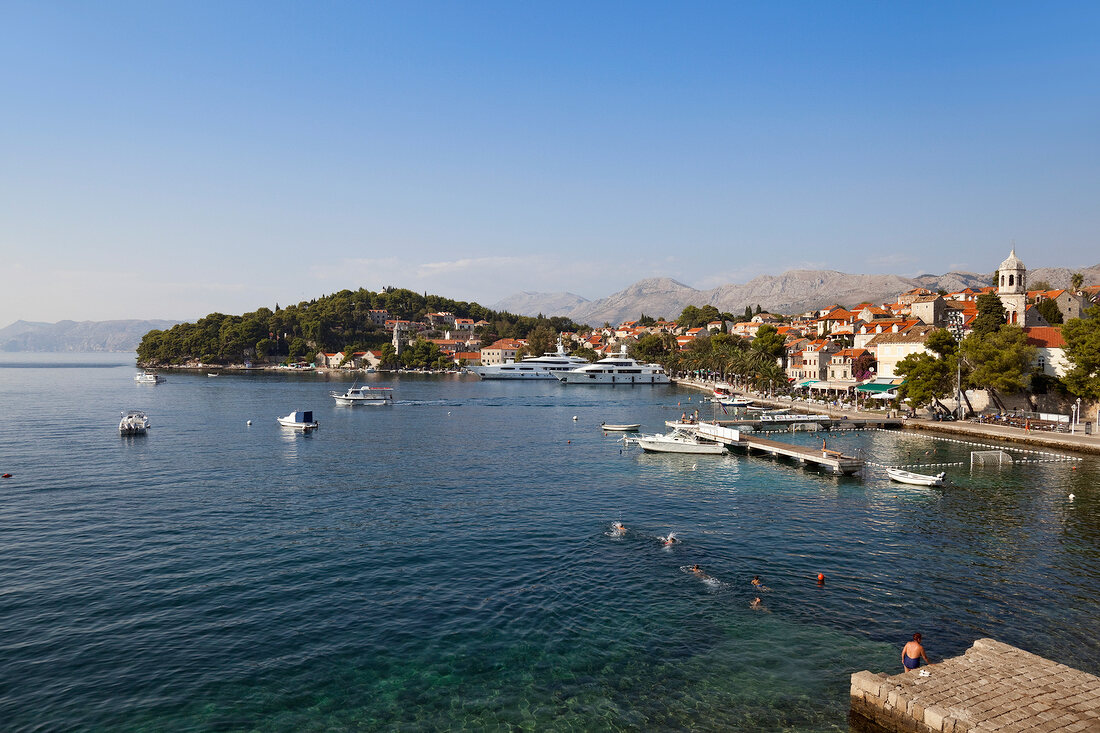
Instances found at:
x=334 y=323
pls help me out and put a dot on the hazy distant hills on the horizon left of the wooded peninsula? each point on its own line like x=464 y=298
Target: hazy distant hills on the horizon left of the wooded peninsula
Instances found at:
x=79 y=336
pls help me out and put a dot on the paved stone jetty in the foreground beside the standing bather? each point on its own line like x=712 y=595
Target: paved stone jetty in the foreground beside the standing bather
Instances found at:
x=992 y=687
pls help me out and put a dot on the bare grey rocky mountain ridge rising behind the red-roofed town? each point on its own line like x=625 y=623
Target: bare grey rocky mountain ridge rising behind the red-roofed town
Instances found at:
x=795 y=291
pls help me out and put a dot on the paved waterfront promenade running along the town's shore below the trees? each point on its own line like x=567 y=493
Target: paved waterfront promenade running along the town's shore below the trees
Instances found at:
x=986 y=432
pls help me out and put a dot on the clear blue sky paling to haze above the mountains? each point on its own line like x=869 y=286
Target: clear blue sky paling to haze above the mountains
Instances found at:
x=169 y=160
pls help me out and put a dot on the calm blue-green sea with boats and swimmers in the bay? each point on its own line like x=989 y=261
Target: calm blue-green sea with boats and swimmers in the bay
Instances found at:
x=447 y=563
